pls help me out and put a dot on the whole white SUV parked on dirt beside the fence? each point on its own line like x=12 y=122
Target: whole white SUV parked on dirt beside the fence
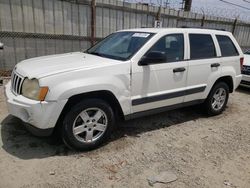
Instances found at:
x=131 y=73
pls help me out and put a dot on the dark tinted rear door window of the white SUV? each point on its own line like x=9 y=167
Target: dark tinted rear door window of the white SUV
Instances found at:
x=201 y=46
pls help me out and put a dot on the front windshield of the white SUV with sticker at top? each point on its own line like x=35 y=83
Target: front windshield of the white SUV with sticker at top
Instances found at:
x=120 y=45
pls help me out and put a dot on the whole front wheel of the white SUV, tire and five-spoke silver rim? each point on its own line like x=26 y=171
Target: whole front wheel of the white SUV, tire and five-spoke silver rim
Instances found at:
x=88 y=124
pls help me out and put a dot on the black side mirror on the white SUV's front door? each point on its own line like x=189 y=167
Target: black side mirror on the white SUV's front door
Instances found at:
x=153 y=57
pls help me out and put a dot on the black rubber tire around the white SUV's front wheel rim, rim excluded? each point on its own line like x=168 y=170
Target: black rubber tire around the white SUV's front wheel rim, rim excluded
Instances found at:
x=67 y=129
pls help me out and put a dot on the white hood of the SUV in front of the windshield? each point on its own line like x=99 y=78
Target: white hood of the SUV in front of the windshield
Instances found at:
x=53 y=64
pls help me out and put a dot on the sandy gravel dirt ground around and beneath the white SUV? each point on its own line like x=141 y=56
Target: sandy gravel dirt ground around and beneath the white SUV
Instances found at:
x=201 y=151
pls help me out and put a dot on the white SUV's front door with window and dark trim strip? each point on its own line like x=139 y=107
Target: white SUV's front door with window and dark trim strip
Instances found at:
x=160 y=84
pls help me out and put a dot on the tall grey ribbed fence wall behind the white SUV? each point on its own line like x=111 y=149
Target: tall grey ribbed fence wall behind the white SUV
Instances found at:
x=30 y=28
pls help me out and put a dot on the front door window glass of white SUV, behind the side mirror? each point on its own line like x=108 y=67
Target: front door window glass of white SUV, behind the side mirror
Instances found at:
x=172 y=46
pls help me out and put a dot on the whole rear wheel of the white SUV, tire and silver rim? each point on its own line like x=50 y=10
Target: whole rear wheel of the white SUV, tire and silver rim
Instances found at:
x=215 y=103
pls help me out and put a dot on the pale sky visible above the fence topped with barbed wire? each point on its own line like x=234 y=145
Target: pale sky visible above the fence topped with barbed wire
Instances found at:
x=221 y=8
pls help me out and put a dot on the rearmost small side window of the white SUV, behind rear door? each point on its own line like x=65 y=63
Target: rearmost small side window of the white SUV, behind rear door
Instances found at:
x=227 y=47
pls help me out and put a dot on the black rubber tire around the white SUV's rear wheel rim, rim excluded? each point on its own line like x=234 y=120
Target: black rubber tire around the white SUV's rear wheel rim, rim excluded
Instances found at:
x=208 y=103
